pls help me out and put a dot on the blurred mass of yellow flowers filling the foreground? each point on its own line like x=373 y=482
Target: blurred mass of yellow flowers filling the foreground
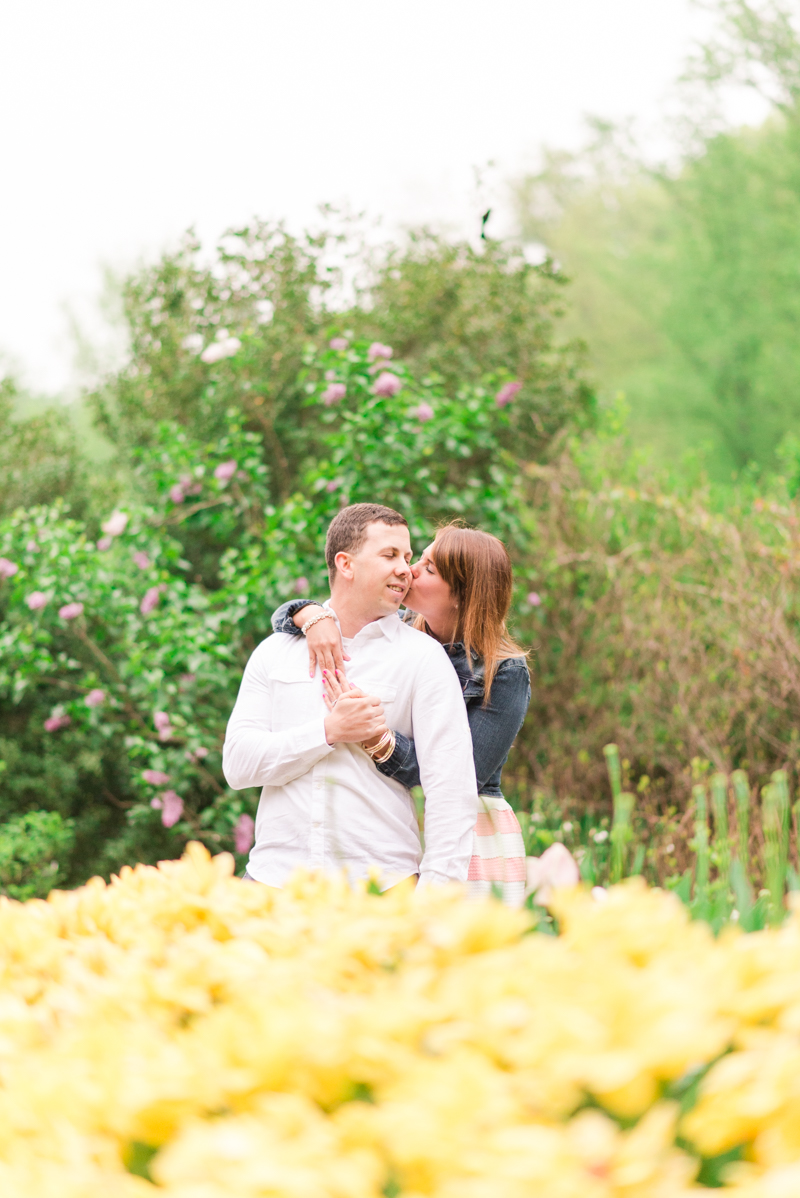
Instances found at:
x=185 y=1033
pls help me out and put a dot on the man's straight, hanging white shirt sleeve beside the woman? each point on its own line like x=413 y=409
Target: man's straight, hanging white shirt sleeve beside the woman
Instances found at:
x=446 y=771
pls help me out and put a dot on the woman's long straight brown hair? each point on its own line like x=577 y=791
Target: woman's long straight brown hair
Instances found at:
x=477 y=568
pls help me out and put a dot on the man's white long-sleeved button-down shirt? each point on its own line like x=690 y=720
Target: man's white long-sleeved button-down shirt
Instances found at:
x=328 y=807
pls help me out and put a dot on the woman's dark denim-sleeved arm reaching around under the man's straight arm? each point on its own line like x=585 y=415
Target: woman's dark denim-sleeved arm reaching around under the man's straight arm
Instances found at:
x=494 y=730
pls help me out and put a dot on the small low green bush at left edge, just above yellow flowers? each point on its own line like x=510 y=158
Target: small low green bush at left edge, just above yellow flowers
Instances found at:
x=32 y=851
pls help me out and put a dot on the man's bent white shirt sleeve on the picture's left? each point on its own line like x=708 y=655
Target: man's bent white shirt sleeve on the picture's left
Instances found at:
x=253 y=754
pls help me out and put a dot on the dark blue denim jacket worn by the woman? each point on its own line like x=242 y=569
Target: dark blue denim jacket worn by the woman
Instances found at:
x=494 y=728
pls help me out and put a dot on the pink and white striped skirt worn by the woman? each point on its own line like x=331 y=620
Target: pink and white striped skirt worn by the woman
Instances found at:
x=498 y=862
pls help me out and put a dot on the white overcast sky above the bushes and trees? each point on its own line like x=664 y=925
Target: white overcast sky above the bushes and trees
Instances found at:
x=123 y=124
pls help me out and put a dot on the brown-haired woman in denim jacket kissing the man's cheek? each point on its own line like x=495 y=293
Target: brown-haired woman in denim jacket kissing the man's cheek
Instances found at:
x=460 y=595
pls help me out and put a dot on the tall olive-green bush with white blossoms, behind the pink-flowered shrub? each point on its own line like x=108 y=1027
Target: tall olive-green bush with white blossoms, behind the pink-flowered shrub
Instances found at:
x=453 y=314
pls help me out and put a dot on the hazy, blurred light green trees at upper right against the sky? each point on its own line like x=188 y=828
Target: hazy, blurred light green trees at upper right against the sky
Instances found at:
x=686 y=279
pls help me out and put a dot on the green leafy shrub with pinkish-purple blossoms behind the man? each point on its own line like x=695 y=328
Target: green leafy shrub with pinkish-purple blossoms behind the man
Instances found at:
x=124 y=640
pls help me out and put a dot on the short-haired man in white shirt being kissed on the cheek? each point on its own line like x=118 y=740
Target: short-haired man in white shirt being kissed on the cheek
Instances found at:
x=324 y=804
